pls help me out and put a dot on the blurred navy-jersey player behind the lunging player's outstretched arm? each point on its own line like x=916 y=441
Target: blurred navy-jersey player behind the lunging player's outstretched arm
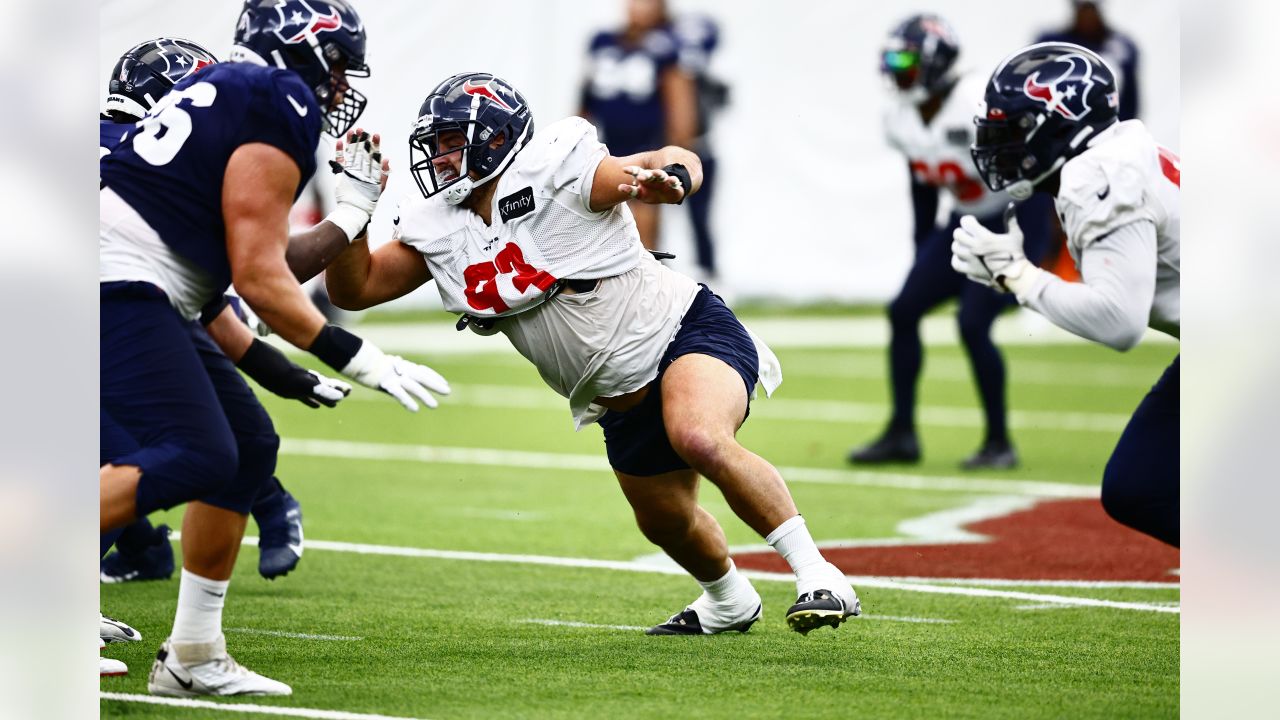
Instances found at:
x=638 y=95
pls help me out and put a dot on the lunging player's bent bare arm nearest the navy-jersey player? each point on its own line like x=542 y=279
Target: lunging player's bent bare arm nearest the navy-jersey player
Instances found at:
x=359 y=279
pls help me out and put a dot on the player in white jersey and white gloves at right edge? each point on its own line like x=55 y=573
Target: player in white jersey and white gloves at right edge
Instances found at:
x=1049 y=125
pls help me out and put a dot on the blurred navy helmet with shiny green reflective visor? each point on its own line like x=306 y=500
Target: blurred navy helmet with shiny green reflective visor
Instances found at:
x=920 y=57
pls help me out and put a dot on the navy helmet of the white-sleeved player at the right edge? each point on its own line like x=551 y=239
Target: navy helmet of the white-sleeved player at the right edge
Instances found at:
x=1043 y=106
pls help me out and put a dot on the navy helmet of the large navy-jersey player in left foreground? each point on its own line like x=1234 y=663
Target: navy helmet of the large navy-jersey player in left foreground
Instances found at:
x=321 y=40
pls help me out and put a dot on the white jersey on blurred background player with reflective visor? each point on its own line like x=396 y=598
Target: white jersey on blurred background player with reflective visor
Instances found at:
x=939 y=152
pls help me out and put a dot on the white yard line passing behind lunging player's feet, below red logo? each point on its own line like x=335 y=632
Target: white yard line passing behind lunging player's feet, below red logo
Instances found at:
x=629 y=567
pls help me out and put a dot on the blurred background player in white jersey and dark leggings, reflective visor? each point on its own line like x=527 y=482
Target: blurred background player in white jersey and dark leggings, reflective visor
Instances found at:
x=930 y=120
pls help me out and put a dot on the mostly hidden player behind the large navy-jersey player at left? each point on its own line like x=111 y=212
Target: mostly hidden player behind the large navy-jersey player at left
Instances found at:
x=143 y=76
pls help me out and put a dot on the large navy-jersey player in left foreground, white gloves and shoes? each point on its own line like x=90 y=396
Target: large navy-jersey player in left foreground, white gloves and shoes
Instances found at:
x=199 y=198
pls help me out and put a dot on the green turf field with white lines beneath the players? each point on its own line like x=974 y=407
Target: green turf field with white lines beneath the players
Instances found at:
x=476 y=596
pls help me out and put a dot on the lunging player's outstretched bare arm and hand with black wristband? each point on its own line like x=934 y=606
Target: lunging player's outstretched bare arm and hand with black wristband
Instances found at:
x=642 y=177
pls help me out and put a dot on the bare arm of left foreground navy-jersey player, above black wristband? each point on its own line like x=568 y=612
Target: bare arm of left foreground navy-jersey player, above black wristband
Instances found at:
x=258 y=193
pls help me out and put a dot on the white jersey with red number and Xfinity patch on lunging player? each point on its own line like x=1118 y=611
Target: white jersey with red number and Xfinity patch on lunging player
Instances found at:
x=600 y=344
